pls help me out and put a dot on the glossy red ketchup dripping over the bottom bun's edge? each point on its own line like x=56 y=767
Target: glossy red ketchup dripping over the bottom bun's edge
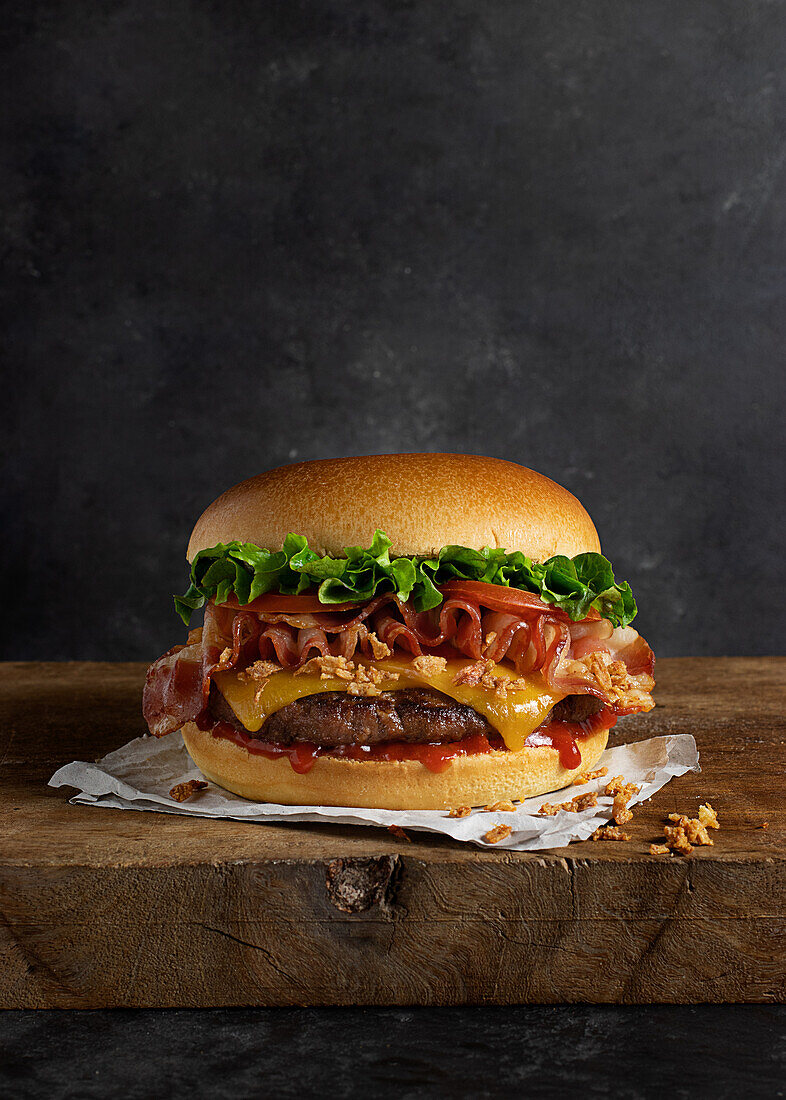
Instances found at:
x=563 y=736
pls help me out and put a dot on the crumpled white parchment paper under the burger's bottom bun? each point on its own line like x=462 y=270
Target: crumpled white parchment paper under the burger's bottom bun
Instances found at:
x=140 y=776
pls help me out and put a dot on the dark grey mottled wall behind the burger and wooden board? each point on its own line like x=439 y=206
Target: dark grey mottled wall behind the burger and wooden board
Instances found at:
x=241 y=234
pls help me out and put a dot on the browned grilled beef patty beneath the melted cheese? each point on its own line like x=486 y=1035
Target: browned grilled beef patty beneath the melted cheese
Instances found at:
x=416 y=716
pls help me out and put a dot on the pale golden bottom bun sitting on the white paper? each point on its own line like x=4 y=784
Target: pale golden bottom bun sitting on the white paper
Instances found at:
x=388 y=785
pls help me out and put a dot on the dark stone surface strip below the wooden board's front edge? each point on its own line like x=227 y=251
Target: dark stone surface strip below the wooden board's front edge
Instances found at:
x=566 y=1051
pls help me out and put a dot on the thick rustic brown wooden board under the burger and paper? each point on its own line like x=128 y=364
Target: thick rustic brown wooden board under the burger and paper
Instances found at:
x=116 y=908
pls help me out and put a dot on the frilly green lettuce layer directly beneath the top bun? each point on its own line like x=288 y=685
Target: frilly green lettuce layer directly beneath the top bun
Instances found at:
x=577 y=585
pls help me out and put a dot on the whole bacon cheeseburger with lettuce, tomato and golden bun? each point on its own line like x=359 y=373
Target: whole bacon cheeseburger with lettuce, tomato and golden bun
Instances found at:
x=400 y=632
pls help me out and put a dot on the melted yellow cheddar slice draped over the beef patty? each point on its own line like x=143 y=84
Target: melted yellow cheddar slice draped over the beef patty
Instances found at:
x=514 y=716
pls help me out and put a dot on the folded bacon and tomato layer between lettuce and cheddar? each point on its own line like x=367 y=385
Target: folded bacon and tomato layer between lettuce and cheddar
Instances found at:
x=475 y=620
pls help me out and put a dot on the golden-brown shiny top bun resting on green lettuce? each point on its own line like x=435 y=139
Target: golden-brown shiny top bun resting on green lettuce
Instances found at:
x=423 y=502
